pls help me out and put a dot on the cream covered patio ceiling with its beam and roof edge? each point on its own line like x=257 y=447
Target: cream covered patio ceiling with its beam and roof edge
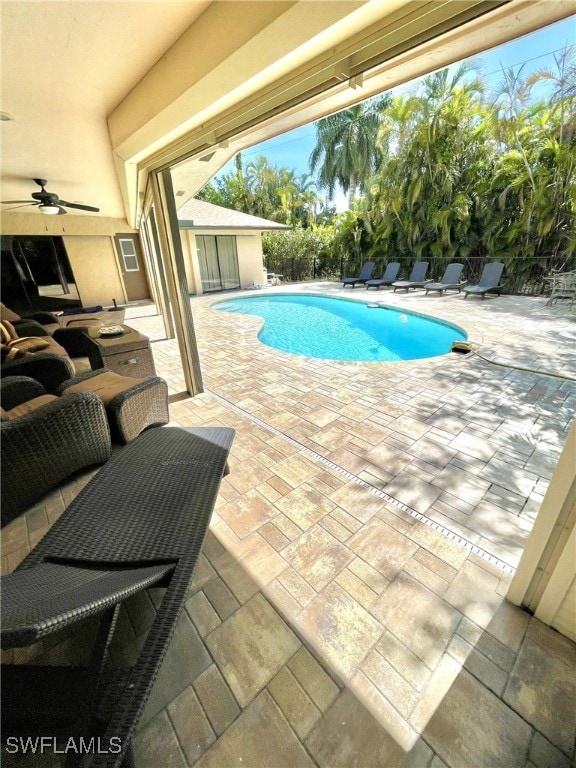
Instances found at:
x=100 y=93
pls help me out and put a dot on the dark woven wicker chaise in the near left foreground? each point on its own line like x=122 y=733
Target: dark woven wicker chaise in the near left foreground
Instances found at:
x=140 y=522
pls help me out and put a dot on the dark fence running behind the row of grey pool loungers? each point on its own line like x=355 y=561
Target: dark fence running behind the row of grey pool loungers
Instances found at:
x=521 y=276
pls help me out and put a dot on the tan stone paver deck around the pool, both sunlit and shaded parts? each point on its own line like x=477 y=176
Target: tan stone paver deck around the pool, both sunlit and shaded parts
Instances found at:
x=381 y=509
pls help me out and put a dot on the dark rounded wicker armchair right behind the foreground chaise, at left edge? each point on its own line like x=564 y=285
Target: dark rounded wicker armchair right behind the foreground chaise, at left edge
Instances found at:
x=45 y=439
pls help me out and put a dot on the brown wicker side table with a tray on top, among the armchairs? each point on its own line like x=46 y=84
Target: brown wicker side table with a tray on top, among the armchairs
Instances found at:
x=128 y=354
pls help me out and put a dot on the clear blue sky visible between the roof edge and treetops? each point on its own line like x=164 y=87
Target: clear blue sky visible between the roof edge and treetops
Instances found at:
x=536 y=51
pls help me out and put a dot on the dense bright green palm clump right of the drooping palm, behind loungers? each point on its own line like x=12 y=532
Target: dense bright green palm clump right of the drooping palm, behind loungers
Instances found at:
x=469 y=175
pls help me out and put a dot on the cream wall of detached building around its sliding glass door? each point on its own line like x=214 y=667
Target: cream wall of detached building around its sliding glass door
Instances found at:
x=249 y=251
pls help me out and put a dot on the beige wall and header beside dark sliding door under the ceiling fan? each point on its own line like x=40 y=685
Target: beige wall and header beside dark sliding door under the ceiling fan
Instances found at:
x=89 y=243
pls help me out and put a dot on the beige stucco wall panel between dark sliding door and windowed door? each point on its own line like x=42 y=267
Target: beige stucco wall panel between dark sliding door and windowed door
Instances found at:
x=93 y=261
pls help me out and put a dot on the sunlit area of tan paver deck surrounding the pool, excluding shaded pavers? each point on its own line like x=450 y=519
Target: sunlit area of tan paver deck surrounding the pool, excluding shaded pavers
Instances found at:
x=366 y=496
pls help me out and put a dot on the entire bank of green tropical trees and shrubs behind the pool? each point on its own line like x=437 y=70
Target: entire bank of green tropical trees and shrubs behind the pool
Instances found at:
x=446 y=172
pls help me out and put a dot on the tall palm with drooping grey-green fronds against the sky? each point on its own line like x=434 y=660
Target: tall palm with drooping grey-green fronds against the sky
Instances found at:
x=345 y=153
